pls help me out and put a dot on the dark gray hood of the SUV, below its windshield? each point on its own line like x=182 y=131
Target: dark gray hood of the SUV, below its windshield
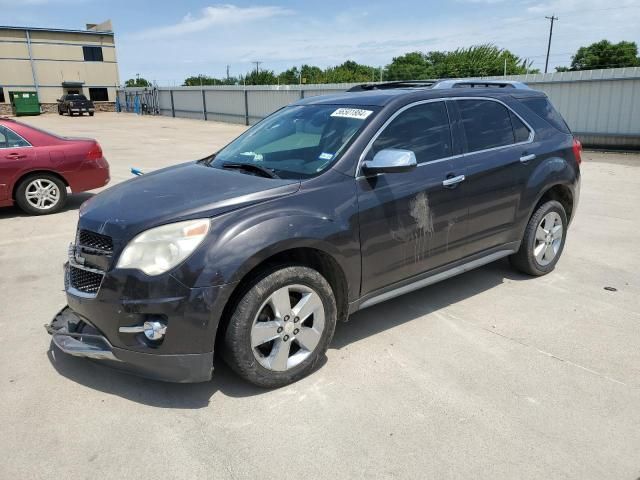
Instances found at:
x=181 y=192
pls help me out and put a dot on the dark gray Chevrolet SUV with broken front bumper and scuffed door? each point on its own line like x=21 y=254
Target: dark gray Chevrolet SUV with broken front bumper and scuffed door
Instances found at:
x=330 y=205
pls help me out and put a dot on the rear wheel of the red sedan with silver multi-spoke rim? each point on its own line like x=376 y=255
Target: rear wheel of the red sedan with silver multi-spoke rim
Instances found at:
x=45 y=189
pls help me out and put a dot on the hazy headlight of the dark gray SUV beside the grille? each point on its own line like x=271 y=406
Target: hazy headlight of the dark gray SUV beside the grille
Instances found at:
x=162 y=248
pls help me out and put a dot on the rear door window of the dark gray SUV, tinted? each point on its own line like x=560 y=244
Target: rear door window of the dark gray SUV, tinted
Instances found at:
x=486 y=124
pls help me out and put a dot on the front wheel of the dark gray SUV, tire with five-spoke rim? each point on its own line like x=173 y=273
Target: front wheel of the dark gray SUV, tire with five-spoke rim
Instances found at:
x=265 y=342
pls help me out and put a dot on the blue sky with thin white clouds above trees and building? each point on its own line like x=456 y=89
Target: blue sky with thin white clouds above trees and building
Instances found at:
x=168 y=41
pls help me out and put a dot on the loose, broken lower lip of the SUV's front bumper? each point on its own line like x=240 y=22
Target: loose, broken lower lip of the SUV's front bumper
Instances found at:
x=74 y=335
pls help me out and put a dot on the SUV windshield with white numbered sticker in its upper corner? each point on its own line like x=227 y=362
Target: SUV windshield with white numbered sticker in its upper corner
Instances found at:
x=297 y=141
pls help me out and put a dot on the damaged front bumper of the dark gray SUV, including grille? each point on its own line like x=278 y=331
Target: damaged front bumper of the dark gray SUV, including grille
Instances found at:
x=108 y=307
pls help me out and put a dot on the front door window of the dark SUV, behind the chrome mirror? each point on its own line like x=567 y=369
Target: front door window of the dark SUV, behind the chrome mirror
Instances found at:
x=423 y=129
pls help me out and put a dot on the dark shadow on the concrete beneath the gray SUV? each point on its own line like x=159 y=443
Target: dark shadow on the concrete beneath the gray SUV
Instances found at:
x=364 y=324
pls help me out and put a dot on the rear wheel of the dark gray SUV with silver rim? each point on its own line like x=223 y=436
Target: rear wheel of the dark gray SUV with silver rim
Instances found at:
x=543 y=240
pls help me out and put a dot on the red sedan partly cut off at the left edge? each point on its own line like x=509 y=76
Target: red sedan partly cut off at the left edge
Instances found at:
x=37 y=167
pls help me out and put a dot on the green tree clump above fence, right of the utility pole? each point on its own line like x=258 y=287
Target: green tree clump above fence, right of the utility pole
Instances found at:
x=604 y=54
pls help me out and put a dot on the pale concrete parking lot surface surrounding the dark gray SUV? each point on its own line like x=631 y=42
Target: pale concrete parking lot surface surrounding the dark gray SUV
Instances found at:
x=491 y=374
